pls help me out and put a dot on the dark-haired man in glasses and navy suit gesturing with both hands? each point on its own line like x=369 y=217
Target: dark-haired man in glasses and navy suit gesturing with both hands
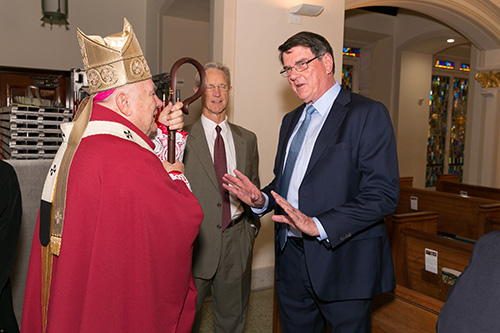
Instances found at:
x=332 y=251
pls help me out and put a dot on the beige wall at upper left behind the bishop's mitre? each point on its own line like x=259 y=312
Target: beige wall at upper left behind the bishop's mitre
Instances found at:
x=26 y=43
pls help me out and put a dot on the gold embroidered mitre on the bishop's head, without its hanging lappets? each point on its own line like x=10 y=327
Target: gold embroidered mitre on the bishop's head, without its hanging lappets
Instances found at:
x=113 y=61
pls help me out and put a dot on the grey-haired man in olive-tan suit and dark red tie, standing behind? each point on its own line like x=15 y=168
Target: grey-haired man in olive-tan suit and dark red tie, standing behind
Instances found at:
x=222 y=258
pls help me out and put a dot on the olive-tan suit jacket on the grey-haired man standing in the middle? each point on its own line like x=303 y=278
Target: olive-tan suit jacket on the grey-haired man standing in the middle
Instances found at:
x=199 y=170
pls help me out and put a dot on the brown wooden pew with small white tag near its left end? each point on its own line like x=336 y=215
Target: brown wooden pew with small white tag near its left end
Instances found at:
x=468 y=217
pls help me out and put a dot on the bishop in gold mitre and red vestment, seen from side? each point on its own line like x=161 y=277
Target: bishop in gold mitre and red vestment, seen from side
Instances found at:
x=120 y=251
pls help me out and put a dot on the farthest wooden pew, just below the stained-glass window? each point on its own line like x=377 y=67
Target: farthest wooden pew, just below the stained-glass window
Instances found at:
x=451 y=185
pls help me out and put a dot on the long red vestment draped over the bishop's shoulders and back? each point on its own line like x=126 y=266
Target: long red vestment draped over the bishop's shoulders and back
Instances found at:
x=125 y=261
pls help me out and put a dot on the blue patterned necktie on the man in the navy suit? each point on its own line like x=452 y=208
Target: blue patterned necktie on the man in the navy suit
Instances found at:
x=293 y=153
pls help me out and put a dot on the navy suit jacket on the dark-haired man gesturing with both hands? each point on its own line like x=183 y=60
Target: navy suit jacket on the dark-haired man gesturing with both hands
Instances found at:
x=350 y=185
